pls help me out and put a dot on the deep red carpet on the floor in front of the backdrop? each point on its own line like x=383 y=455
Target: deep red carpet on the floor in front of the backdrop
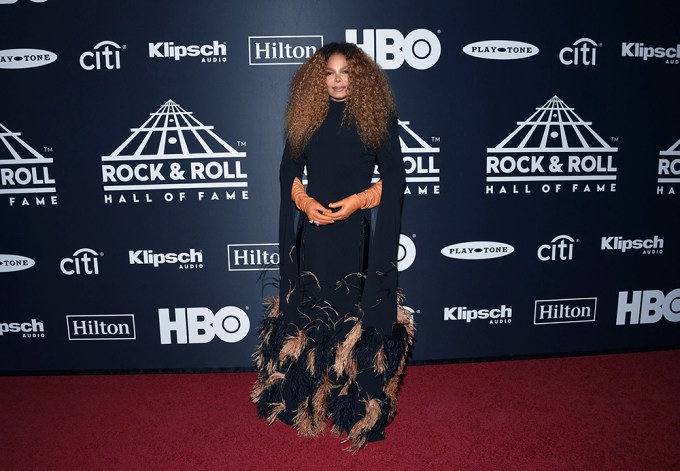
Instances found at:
x=609 y=412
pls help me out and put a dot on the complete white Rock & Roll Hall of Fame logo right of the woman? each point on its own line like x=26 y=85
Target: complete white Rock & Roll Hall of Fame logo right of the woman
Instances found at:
x=552 y=148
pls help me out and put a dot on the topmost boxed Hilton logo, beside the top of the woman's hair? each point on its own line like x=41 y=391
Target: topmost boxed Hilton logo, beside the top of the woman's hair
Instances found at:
x=282 y=50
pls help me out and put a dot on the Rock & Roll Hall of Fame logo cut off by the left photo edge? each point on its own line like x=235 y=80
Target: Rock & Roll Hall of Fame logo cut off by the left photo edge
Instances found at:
x=24 y=172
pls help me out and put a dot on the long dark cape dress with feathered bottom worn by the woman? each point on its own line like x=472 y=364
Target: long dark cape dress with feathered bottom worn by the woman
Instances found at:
x=333 y=344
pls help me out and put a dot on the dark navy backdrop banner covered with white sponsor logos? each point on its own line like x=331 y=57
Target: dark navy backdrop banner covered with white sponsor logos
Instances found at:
x=139 y=151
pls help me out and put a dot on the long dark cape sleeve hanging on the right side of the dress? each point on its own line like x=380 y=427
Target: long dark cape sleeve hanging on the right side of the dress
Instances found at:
x=379 y=299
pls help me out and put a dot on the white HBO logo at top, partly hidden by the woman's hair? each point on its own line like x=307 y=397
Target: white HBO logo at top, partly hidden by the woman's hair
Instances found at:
x=389 y=48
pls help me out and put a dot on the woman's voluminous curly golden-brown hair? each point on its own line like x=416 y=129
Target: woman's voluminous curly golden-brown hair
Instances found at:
x=369 y=103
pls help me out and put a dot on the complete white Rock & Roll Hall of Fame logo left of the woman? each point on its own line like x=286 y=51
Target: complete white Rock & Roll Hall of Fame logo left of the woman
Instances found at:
x=171 y=152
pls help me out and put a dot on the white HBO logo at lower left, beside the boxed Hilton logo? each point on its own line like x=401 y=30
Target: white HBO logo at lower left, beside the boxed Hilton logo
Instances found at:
x=200 y=325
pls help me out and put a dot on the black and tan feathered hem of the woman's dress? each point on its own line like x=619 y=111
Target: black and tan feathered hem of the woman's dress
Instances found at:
x=351 y=383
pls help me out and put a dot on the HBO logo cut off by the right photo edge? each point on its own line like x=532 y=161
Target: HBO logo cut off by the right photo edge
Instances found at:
x=648 y=307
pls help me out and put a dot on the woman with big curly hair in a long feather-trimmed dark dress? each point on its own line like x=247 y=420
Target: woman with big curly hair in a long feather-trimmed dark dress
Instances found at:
x=334 y=343
